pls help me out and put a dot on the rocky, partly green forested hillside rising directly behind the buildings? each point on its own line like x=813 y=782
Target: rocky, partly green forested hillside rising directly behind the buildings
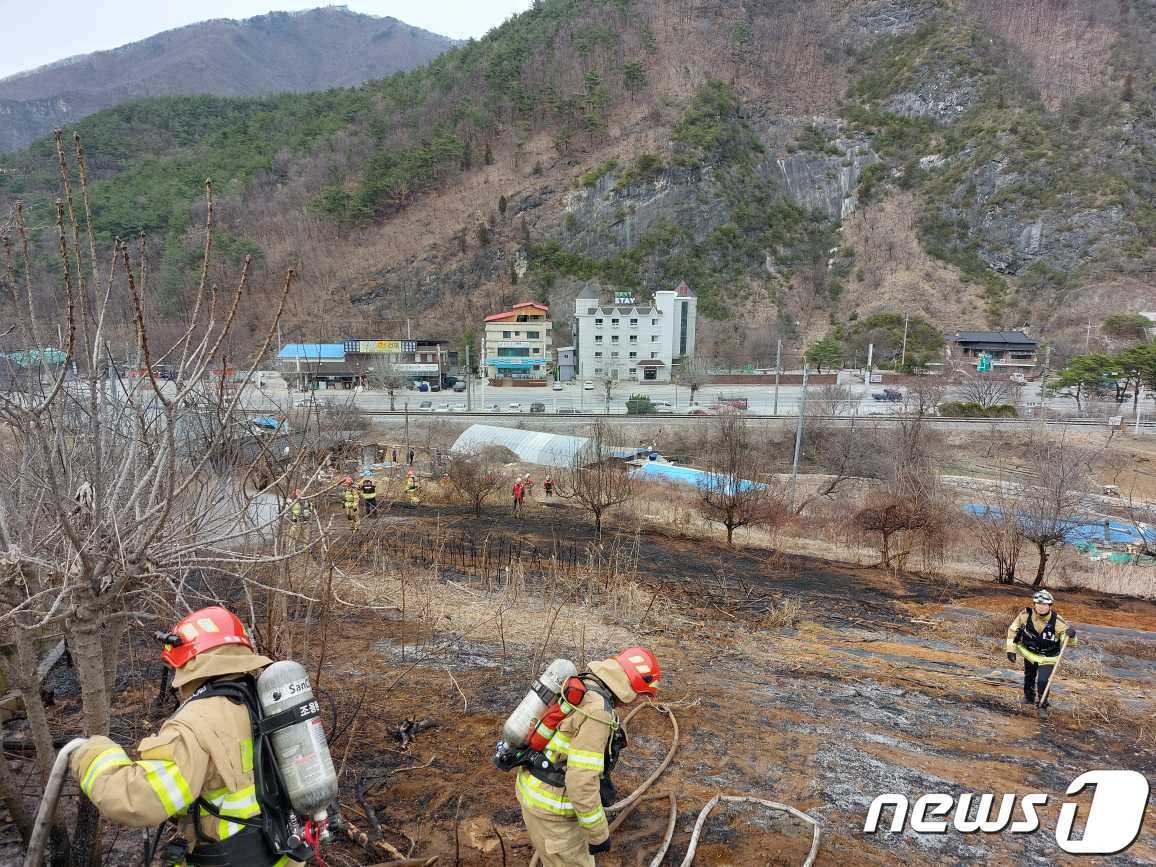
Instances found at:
x=802 y=166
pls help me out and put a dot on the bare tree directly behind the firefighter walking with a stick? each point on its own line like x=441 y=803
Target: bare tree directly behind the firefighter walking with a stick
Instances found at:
x=1055 y=495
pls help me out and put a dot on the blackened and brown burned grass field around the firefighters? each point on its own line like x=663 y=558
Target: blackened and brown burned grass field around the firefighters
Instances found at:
x=795 y=680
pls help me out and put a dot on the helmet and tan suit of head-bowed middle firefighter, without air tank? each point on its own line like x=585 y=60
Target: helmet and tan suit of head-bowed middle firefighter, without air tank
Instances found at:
x=565 y=805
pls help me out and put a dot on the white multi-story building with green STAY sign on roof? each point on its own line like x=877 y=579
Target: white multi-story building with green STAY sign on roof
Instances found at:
x=629 y=342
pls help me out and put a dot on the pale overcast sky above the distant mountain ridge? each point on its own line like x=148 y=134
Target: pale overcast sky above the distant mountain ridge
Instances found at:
x=34 y=33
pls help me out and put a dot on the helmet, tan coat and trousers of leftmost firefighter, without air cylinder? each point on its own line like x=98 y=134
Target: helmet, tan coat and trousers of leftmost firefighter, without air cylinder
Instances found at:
x=202 y=755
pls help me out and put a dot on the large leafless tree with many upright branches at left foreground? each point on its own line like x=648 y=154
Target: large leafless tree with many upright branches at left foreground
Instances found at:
x=110 y=499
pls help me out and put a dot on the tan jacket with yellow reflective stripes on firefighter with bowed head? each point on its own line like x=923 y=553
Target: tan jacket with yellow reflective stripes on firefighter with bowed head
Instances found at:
x=580 y=747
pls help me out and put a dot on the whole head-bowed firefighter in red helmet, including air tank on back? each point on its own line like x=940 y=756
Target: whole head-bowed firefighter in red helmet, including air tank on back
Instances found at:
x=566 y=759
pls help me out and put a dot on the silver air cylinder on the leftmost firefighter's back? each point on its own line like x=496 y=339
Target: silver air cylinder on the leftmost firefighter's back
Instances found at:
x=301 y=750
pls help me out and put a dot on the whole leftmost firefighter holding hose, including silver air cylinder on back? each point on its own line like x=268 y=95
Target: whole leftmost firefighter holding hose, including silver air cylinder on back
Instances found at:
x=209 y=767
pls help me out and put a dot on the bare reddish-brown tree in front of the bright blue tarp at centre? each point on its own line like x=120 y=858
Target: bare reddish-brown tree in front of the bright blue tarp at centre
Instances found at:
x=738 y=492
